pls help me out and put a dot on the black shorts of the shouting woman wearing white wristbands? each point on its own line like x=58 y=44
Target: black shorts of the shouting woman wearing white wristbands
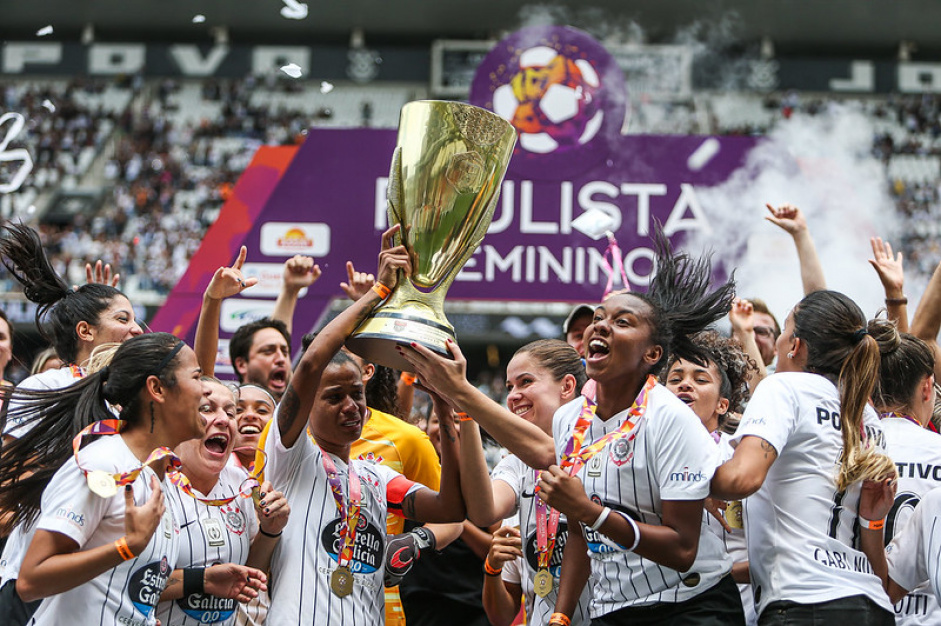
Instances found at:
x=719 y=606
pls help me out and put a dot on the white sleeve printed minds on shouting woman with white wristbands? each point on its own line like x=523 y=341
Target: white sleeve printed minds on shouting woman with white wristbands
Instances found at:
x=685 y=455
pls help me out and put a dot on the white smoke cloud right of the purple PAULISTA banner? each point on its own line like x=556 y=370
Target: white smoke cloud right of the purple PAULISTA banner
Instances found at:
x=823 y=165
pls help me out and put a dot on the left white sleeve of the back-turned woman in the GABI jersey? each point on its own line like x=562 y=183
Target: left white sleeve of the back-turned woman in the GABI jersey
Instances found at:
x=771 y=414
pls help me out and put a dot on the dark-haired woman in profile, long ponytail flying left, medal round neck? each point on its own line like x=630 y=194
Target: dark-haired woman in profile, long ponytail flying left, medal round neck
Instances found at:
x=105 y=542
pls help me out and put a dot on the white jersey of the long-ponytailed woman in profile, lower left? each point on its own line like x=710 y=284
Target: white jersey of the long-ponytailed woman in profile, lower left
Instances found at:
x=127 y=594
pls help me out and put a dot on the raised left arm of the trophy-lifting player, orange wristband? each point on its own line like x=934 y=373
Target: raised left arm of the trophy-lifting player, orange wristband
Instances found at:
x=299 y=397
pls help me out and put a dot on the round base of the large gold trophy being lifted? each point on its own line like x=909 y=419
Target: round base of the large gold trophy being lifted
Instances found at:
x=376 y=339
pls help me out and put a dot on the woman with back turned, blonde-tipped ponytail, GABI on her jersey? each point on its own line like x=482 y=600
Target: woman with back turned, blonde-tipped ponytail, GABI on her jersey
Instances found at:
x=810 y=457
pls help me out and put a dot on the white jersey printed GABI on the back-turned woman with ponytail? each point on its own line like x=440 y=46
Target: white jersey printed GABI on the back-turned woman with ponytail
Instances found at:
x=802 y=533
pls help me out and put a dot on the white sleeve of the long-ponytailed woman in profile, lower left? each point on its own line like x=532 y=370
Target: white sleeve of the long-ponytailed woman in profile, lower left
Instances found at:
x=69 y=506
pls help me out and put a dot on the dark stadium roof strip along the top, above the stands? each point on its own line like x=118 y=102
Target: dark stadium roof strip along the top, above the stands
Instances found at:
x=810 y=26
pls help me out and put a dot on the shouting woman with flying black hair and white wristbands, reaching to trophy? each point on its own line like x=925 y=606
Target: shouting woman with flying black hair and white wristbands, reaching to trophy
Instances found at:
x=634 y=468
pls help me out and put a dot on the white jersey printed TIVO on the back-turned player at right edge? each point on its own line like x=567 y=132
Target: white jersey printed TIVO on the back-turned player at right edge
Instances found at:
x=916 y=452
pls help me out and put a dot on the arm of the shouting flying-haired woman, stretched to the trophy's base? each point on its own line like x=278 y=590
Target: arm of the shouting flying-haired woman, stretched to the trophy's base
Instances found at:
x=448 y=379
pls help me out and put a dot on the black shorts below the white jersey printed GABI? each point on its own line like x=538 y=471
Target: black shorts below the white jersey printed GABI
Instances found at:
x=852 y=611
